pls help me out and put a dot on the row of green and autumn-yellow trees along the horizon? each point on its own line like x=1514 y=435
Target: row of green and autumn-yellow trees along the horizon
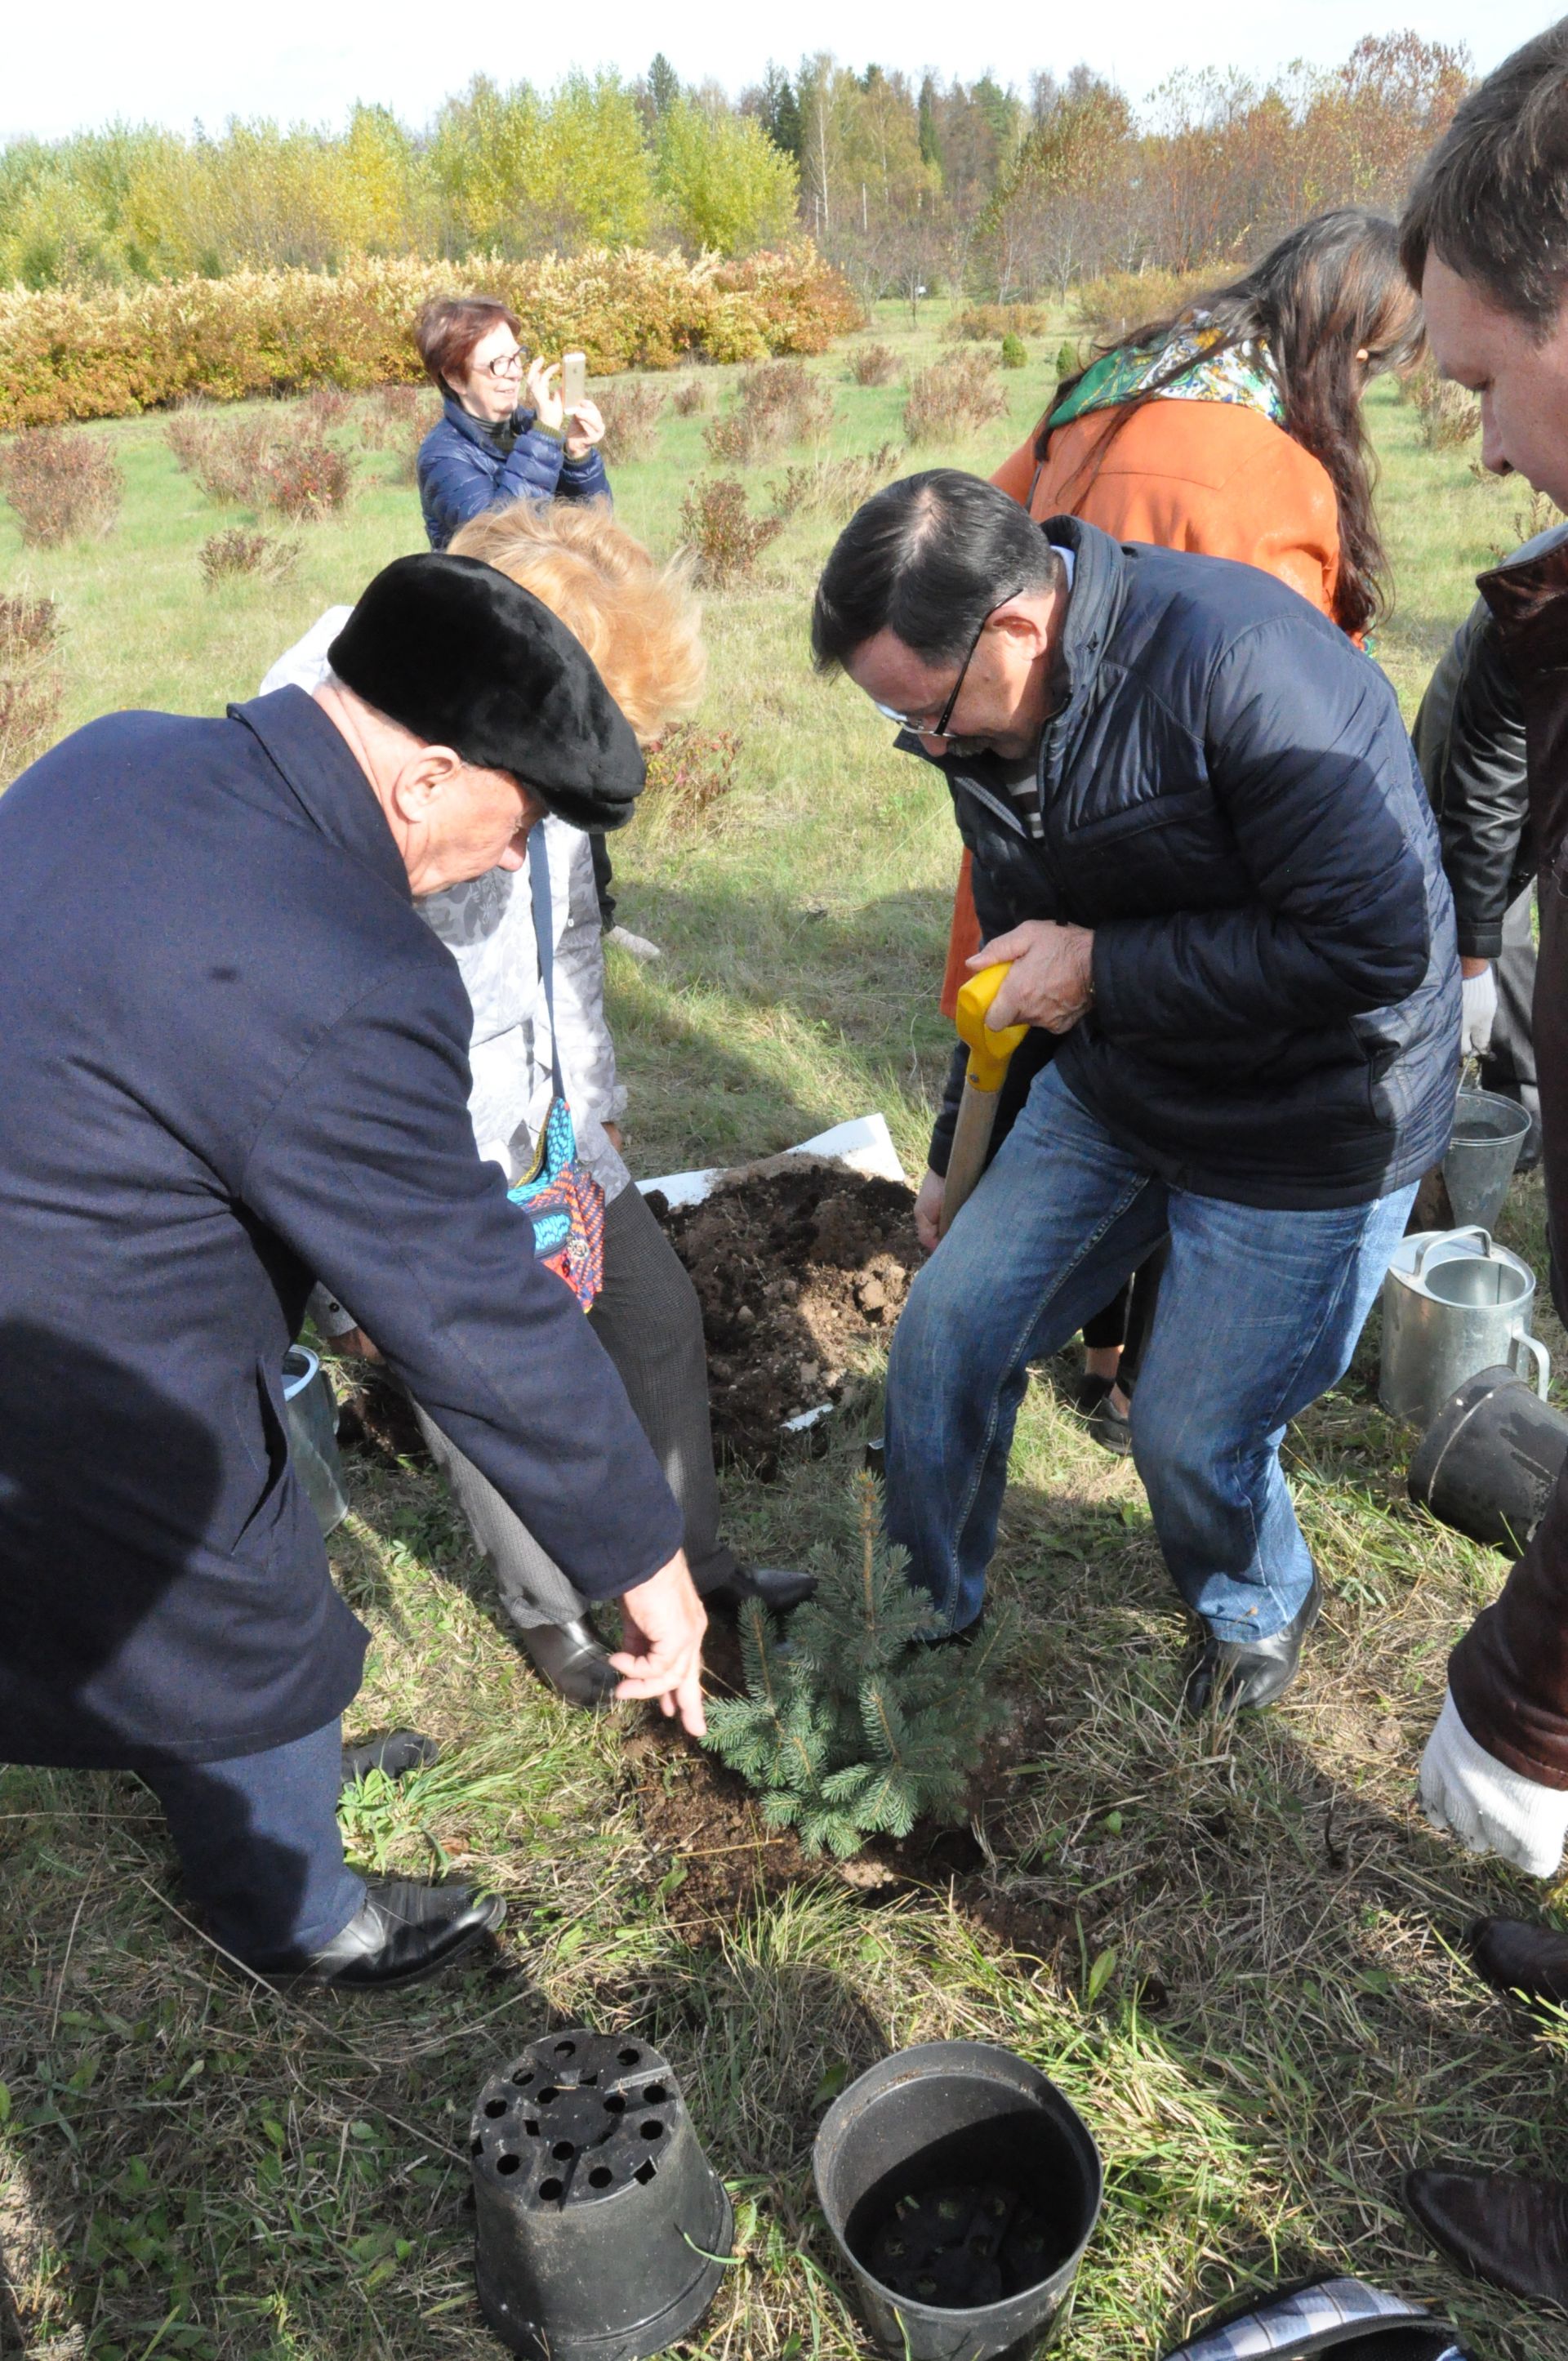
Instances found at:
x=906 y=185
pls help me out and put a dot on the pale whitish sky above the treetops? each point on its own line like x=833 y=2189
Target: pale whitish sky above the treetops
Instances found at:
x=67 y=67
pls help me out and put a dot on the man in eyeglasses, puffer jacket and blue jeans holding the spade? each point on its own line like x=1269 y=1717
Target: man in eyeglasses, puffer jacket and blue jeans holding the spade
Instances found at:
x=1203 y=846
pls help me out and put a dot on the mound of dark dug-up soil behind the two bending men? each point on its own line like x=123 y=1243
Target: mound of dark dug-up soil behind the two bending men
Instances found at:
x=795 y=1269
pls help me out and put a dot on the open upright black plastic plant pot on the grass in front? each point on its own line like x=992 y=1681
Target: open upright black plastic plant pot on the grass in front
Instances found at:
x=962 y=2190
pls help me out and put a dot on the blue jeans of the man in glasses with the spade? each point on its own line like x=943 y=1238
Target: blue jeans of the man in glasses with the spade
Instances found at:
x=1257 y=1316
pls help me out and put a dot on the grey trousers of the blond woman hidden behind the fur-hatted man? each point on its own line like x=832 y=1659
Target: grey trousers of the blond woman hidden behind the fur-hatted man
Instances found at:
x=651 y=1323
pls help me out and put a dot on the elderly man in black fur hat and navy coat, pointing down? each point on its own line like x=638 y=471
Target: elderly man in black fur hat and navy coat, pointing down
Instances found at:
x=235 y=1059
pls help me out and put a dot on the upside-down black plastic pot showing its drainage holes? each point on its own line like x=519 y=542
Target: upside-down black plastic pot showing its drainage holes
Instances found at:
x=603 y=2228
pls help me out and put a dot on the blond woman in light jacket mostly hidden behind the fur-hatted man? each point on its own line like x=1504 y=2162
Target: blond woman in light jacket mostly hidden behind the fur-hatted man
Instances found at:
x=537 y=1040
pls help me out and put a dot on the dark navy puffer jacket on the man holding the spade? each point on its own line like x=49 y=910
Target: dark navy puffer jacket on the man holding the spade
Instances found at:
x=1234 y=806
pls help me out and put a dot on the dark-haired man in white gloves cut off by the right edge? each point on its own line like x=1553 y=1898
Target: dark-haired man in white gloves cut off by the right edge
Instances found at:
x=1487 y=244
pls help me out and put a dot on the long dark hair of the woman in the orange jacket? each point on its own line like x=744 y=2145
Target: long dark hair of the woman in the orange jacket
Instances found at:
x=1321 y=296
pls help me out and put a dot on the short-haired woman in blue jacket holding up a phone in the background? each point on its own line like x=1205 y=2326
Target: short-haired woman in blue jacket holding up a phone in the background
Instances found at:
x=490 y=447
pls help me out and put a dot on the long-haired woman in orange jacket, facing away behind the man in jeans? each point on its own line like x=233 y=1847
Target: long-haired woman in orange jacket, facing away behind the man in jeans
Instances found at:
x=1234 y=431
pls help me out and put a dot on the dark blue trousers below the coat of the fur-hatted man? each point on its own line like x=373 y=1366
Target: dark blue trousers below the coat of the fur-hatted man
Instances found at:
x=261 y=1850
